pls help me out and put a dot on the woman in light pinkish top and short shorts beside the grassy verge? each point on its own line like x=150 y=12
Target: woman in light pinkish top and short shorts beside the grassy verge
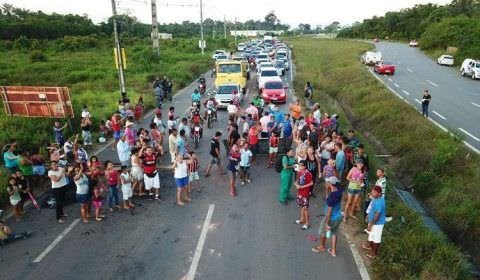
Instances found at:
x=355 y=177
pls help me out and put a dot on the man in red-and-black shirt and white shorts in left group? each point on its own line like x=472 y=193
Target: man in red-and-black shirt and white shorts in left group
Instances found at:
x=150 y=173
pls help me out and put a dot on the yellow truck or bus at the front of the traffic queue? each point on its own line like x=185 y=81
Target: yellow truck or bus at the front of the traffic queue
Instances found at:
x=231 y=72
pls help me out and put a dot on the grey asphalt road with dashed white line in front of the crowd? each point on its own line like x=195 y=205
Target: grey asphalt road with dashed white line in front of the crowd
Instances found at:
x=216 y=236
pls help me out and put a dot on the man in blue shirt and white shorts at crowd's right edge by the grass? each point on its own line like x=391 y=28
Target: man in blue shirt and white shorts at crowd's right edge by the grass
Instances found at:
x=376 y=220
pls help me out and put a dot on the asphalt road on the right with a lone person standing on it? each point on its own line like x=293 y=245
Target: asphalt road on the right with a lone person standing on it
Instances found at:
x=455 y=99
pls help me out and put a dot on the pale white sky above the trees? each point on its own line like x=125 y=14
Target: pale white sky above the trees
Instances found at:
x=293 y=12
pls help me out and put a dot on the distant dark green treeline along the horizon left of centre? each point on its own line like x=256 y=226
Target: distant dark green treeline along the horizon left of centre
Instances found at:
x=16 y=23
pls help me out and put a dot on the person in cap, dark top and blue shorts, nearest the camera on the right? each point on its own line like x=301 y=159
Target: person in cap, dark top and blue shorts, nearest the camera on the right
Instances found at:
x=333 y=216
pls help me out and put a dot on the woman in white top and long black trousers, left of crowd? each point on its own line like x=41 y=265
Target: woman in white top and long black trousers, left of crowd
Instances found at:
x=59 y=186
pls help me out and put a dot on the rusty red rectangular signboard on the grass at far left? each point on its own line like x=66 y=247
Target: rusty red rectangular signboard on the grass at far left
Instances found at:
x=50 y=102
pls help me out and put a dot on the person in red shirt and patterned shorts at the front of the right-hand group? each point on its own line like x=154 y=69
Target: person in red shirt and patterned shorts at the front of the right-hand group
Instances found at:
x=303 y=184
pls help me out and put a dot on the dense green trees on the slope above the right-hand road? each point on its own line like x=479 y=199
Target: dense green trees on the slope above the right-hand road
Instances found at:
x=436 y=27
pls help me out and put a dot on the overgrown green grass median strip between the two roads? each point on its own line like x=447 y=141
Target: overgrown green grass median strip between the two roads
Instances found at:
x=445 y=178
